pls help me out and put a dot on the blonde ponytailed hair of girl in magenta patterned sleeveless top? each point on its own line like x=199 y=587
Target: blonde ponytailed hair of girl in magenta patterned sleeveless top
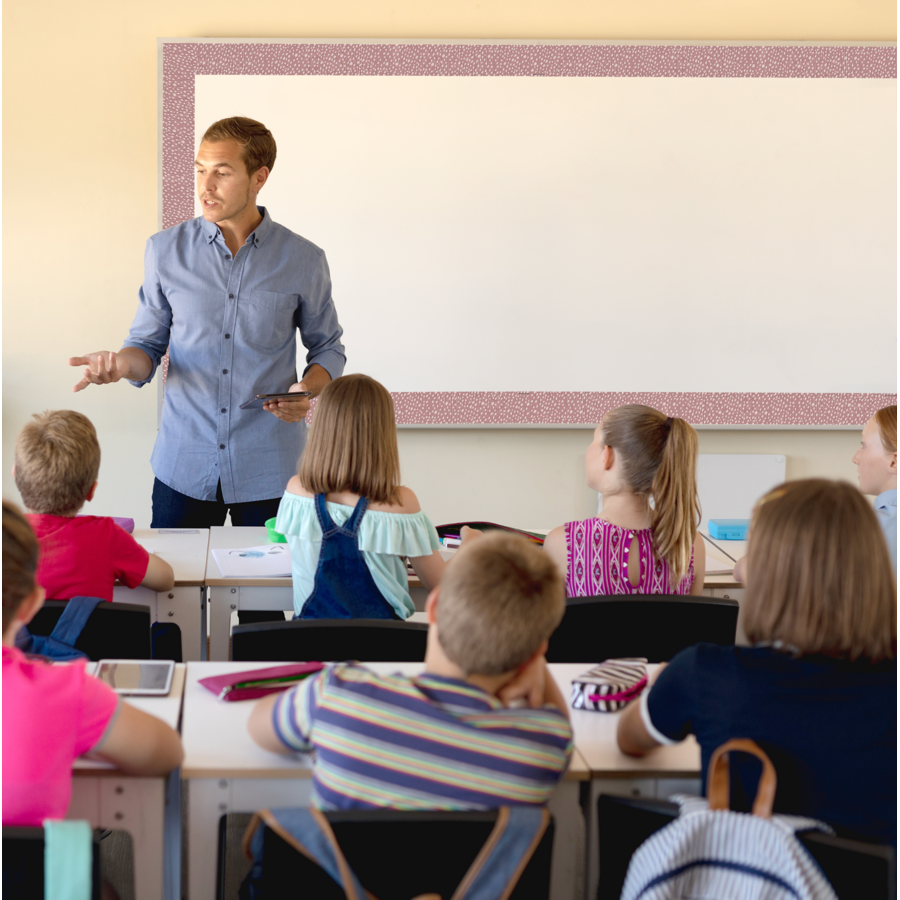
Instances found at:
x=658 y=456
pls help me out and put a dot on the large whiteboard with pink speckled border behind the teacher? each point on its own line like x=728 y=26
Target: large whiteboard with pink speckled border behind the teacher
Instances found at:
x=533 y=233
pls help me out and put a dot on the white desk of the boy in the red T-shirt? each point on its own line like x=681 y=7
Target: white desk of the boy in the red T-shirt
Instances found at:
x=185 y=605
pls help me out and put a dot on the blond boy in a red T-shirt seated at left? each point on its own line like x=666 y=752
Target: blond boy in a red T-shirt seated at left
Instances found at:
x=56 y=468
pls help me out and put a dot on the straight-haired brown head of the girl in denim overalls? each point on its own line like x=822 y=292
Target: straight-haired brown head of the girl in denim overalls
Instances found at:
x=353 y=442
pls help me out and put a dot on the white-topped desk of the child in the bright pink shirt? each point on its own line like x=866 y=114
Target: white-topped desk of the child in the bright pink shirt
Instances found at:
x=148 y=808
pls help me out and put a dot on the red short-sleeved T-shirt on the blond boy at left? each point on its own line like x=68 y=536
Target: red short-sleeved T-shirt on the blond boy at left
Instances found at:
x=82 y=556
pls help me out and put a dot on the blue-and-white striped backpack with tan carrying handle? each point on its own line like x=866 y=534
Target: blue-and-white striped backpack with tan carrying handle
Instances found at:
x=712 y=853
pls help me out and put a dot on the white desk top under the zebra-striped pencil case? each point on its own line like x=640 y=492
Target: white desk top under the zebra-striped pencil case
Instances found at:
x=595 y=738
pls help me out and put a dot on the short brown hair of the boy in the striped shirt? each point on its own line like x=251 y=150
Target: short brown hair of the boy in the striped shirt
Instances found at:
x=500 y=598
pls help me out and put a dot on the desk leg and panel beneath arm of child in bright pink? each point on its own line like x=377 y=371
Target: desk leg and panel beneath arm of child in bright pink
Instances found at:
x=136 y=805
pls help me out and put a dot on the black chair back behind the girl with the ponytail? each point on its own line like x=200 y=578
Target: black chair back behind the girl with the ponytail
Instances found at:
x=656 y=626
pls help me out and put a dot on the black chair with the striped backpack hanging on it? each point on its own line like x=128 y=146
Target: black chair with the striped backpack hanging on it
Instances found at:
x=854 y=868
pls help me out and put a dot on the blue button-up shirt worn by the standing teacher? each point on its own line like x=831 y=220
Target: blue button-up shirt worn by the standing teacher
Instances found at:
x=230 y=326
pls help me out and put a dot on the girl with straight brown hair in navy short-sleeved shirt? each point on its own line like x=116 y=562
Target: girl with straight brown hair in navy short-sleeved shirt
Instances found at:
x=817 y=690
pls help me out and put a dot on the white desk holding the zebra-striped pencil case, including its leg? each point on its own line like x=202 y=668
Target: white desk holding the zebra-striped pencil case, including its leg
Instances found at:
x=666 y=771
